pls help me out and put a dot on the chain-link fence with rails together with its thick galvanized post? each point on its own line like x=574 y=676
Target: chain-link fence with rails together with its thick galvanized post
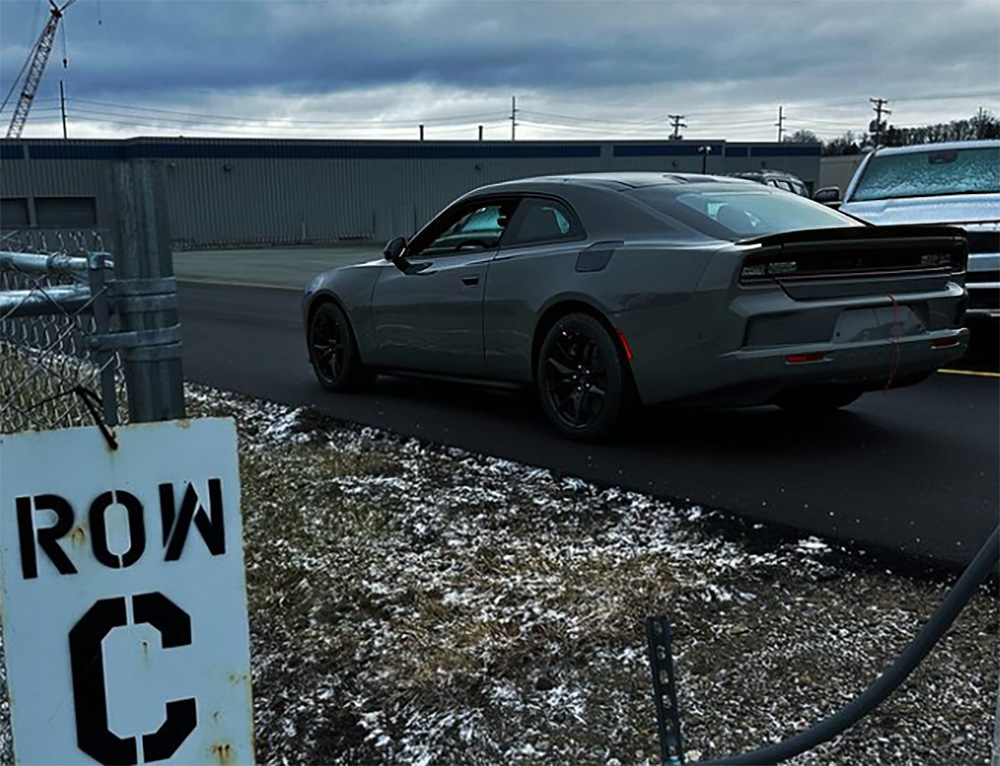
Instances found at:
x=73 y=319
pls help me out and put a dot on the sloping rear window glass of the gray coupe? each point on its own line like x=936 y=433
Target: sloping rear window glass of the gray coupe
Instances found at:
x=735 y=215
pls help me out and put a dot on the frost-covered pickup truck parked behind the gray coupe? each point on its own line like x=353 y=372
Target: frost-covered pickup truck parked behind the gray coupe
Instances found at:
x=954 y=183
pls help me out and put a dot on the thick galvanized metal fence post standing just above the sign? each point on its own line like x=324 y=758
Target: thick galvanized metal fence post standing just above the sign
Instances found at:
x=145 y=293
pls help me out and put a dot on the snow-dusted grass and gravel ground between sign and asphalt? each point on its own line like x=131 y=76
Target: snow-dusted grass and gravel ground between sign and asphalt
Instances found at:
x=417 y=604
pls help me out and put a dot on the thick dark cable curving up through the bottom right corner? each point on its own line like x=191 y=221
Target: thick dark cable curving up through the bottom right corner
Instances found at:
x=894 y=675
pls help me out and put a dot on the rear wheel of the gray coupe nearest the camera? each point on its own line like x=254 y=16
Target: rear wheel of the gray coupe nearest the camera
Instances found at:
x=581 y=378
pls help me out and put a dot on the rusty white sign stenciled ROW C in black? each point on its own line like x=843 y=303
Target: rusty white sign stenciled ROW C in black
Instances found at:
x=124 y=600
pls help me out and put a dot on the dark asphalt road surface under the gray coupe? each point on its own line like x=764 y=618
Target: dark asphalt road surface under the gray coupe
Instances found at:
x=915 y=470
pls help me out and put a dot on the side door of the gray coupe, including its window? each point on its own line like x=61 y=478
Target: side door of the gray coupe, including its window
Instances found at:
x=429 y=317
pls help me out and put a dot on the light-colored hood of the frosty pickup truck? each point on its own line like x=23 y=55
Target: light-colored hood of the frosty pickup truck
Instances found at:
x=959 y=208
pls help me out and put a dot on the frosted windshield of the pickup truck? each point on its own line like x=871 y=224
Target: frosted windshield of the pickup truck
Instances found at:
x=930 y=173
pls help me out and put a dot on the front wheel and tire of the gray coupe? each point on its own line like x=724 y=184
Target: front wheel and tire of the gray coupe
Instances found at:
x=333 y=351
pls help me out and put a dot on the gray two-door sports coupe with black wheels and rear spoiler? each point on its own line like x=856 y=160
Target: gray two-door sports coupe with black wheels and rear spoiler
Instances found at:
x=602 y=290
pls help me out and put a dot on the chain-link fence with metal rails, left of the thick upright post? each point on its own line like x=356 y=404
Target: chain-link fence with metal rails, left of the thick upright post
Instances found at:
x=55 y=304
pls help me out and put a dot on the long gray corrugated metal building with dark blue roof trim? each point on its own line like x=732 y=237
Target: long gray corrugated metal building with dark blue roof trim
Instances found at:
x=227 y=192
